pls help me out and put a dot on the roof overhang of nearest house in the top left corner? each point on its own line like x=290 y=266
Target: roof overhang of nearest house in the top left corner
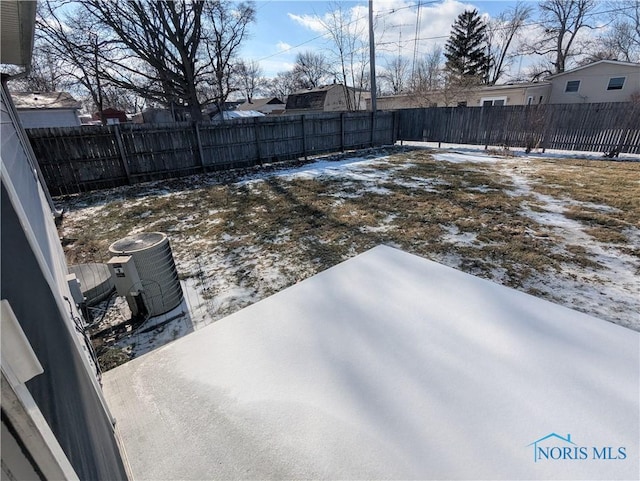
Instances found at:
x=17 y=26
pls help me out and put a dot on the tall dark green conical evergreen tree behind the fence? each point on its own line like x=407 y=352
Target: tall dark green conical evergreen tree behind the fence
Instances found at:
x=467 y=61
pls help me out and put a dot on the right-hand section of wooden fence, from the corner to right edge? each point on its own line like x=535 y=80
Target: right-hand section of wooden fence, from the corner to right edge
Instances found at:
x=599 y=127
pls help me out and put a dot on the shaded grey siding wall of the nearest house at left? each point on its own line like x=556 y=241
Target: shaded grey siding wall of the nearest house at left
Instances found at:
x=33 y=281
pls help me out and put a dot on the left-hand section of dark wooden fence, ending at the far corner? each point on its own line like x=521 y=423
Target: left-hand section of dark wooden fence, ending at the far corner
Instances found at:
x=78 y=159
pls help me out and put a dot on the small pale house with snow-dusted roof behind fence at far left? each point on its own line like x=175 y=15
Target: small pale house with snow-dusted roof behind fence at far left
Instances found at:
x=47 y=109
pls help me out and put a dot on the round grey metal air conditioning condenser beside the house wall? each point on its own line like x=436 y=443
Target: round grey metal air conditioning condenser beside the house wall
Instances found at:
x=144 y=273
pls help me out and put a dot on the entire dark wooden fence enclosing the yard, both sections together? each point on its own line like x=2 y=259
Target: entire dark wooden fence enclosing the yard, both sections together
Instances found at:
x=77 y=159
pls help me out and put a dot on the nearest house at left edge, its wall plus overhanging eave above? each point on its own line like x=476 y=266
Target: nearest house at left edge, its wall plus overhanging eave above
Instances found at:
x=55 y=421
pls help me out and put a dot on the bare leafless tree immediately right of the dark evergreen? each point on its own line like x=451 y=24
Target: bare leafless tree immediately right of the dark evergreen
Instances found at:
x=501 y=32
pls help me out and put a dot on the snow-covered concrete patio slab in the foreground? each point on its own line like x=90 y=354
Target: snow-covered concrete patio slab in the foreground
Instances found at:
x=375 y=369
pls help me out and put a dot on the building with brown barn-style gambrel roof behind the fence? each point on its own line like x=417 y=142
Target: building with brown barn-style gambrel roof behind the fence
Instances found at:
x=328 y=98
